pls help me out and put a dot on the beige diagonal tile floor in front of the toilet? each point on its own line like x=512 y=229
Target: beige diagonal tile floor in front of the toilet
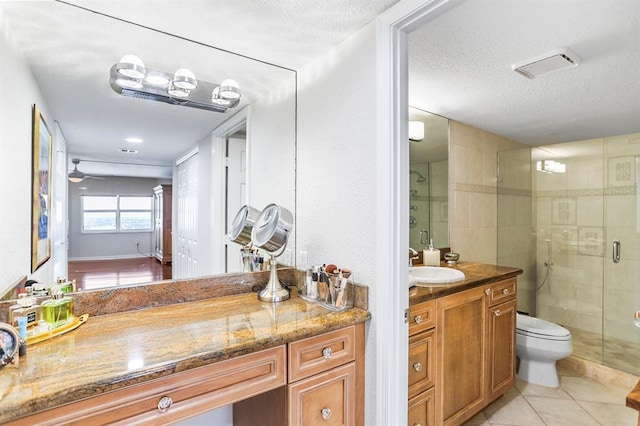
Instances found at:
x=579 y=401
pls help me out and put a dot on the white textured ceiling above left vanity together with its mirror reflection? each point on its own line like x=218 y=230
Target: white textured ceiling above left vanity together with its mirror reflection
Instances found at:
x=71 y=47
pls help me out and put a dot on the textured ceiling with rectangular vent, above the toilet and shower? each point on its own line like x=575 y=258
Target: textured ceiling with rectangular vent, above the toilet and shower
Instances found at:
x=460 y=67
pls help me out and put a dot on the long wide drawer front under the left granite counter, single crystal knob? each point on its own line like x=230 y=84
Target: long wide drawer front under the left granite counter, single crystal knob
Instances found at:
x=184 y=394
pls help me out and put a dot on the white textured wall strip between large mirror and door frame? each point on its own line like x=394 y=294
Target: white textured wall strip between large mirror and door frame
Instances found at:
x=336 y=188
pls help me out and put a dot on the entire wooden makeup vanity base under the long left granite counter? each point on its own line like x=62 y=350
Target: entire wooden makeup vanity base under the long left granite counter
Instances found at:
x=314 y=381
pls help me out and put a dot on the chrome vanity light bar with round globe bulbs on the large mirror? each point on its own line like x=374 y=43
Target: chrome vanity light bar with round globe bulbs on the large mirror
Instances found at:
x=131 y=78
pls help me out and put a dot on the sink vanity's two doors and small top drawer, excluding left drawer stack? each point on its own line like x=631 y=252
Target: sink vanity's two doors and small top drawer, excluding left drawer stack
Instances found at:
x=476 y=346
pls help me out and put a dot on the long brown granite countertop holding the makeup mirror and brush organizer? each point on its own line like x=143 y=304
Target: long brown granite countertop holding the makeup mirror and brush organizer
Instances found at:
x=125 y=348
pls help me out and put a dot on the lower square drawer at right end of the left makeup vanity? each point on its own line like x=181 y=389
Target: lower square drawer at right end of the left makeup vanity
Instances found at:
x=325 y=399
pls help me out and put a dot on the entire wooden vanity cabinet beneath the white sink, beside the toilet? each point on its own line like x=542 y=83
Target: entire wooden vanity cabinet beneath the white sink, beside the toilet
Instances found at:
x=470 y=341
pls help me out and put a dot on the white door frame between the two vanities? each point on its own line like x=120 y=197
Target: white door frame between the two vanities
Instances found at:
x=392 y=242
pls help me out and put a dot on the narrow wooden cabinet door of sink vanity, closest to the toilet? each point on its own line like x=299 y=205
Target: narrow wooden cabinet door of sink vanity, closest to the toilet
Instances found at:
x=502 y=338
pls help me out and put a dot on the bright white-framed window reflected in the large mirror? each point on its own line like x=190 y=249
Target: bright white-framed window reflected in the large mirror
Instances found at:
x=117 y=213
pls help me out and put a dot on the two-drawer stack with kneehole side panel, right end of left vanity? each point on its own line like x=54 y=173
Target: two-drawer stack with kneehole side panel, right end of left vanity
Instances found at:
x=325 y=384
